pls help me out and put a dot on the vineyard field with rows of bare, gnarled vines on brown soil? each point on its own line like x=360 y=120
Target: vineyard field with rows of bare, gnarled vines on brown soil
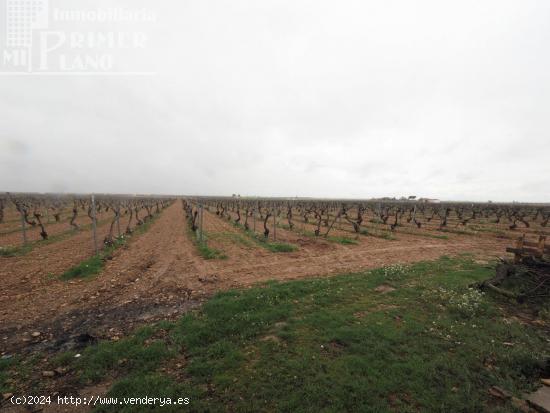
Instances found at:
x=165 y=264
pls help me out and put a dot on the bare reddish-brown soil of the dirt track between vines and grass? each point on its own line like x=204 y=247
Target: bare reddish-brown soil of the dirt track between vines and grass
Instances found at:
x=159 y=274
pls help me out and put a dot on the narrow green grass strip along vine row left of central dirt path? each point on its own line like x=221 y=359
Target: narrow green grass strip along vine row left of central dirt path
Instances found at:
x=94 y=265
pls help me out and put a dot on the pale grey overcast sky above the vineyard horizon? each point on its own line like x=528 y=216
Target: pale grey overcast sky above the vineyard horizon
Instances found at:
x=445 y=99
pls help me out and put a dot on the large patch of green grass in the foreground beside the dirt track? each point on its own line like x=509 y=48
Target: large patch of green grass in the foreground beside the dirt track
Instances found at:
x=424 y=342
